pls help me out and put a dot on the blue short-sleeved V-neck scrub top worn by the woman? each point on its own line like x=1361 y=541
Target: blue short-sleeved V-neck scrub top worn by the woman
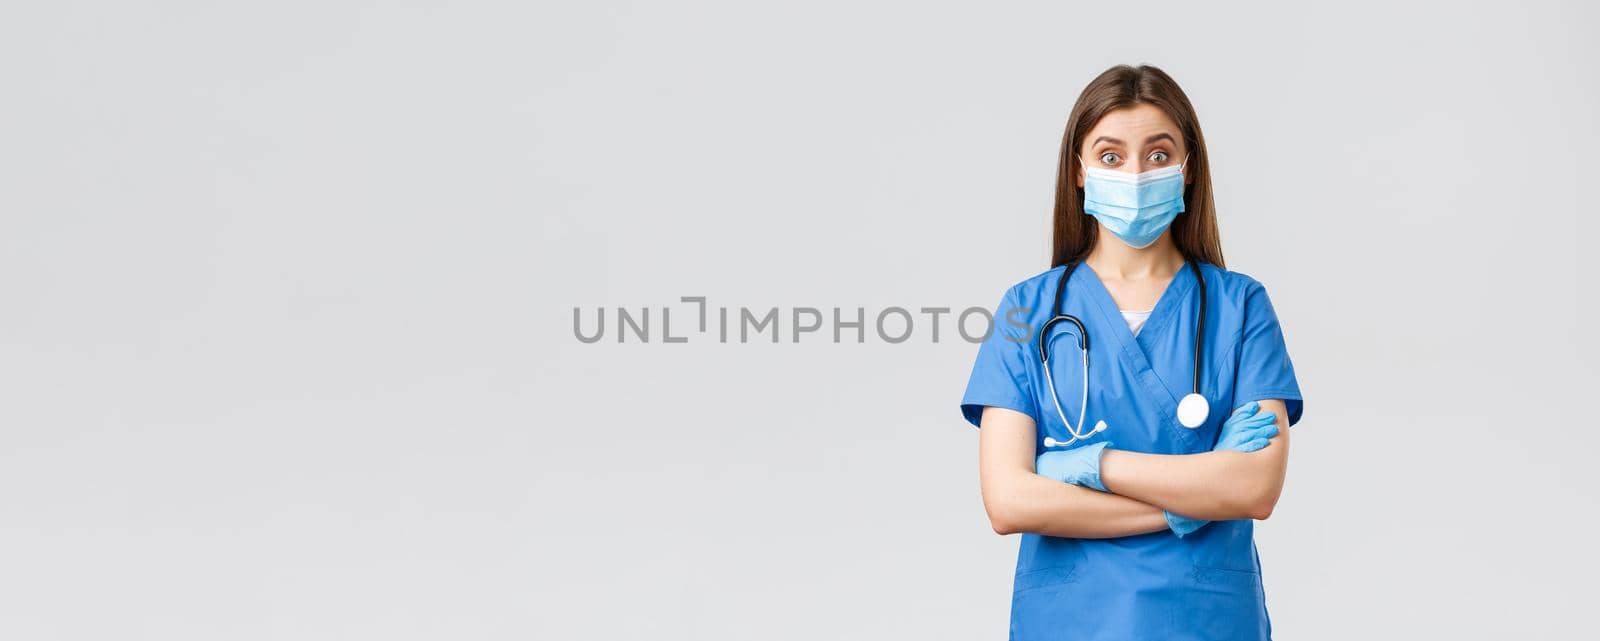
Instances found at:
x=1206 y=586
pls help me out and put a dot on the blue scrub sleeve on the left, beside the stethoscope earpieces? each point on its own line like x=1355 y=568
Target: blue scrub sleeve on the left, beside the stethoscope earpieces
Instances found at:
x=1004 y=373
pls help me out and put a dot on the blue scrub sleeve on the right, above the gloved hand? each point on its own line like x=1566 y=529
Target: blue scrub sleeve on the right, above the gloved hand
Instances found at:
x=1265 y=368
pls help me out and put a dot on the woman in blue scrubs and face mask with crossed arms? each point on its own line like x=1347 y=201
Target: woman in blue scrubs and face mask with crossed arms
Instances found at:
x=1140 y=527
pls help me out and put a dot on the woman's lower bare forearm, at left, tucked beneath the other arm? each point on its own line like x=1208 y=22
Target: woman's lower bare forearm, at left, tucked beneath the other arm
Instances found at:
x=1028 y=503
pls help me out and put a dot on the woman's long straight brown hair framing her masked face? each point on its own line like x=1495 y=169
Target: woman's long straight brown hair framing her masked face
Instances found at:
x=1194 y=231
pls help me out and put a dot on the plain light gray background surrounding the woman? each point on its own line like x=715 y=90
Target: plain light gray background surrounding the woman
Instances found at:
x=287 y=351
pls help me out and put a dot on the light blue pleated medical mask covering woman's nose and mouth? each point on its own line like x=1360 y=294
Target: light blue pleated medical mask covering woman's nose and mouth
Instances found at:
x=1135 y=207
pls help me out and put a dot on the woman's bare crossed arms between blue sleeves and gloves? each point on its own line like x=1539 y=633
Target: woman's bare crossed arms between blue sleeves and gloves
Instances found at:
x=1217 y=487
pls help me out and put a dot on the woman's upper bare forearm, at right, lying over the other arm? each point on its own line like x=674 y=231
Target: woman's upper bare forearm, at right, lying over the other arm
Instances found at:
x=1214 y=487
